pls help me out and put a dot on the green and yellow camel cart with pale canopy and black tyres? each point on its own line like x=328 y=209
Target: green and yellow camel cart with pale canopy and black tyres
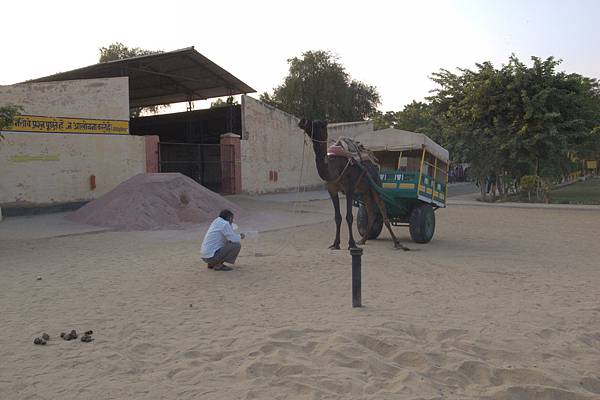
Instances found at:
x=413 y=182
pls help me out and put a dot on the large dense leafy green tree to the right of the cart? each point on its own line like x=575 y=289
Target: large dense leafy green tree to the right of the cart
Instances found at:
x=517 y=119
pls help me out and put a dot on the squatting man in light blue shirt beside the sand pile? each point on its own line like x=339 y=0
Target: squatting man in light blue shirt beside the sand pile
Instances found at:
x=221 y=244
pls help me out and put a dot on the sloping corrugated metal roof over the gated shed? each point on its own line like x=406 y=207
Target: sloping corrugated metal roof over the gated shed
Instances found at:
x=163 y=78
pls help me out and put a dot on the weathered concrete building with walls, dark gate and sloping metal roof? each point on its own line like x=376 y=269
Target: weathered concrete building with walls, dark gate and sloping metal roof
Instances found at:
x=76 y=140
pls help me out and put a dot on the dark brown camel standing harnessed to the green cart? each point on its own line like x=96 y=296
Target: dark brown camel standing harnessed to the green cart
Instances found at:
x=341 y=175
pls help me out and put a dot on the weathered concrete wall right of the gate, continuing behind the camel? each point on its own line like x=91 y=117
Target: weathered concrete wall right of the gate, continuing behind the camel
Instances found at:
x=272 y=145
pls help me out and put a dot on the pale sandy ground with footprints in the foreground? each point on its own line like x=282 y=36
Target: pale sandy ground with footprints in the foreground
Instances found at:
x=502 y=304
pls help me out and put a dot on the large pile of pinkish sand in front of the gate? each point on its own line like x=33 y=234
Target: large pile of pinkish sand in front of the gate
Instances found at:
x=154 y=201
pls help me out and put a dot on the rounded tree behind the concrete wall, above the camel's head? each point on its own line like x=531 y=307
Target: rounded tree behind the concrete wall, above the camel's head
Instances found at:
x=318 y=87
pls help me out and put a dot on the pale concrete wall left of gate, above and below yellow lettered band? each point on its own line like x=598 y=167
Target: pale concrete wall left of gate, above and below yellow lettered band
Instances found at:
x=51 y=168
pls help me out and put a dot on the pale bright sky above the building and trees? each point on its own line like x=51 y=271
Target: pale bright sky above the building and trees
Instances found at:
x=392 y=45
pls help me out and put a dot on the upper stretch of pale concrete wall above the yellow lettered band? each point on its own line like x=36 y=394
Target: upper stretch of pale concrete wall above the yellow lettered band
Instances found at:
x=106 y=98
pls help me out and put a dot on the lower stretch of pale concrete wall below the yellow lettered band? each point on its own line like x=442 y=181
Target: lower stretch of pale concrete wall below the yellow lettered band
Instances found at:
x=42 y=168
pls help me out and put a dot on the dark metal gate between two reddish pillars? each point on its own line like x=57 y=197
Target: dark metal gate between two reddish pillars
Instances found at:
x=201 y=162
